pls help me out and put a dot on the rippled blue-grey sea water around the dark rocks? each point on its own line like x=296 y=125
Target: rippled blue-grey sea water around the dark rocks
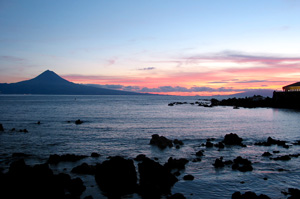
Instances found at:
x=123 y=125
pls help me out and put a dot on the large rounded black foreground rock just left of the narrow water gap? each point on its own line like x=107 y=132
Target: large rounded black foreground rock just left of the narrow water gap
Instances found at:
x=116 y=177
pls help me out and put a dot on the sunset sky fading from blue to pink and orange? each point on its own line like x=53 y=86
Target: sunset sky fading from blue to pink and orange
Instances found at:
x=175 y=47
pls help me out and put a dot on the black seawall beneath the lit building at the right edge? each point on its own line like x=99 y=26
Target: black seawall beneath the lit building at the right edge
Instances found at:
x=286 y=100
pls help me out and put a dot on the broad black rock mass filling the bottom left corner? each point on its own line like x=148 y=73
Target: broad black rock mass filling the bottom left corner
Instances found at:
x=23 y=181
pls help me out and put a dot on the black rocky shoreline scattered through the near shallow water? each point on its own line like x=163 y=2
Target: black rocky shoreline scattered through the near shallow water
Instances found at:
x=119 y=176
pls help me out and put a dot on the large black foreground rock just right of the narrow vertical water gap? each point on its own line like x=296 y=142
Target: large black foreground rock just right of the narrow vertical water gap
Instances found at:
x=155 y=179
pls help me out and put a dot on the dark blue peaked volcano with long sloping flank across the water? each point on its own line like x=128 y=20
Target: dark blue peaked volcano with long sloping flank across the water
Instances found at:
x=50 y=83
